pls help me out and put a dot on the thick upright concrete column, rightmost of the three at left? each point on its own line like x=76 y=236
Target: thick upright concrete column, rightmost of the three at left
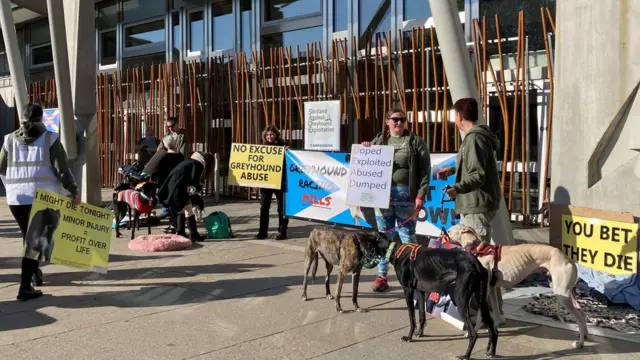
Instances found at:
x=81 y=41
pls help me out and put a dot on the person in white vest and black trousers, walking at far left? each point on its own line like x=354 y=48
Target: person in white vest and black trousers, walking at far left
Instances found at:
x=33 y=158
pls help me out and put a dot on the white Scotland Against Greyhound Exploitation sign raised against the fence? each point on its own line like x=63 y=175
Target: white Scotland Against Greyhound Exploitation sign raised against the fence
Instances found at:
x=322 y=125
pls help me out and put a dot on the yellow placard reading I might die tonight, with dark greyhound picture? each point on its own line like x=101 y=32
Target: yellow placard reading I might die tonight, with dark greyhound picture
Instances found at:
x=72 y=235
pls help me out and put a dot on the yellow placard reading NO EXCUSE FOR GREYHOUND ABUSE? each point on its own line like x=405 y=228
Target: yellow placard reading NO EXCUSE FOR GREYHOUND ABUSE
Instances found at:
x=256 y=166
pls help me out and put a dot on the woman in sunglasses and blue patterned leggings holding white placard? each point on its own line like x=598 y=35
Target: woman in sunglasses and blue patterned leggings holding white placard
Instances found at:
x=409 y=184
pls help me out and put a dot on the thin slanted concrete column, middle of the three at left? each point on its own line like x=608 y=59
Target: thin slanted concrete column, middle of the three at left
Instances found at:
x=63 y=85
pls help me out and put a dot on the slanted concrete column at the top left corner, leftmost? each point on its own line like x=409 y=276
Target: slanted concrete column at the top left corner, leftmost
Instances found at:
x=13 y=56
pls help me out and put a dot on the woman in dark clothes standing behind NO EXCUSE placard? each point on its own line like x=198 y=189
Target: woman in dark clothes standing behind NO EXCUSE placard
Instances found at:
x=271 y=136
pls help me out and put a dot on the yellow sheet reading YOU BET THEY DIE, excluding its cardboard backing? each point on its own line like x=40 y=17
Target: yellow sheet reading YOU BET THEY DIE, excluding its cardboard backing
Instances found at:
x=609 y=246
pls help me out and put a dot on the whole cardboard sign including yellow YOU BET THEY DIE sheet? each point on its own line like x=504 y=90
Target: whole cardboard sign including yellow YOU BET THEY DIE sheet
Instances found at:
x=606 y=241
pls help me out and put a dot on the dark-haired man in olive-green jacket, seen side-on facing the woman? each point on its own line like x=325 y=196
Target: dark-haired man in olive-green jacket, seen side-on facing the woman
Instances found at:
x=477 y=188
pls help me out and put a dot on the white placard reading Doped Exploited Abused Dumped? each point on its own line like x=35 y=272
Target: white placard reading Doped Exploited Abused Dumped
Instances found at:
x=370 y=171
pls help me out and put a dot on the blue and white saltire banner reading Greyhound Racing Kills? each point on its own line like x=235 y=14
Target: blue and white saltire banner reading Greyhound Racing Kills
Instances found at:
x=317 y=184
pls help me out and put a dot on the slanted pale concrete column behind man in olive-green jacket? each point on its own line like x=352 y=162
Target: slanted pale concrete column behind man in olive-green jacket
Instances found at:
x=457 y=62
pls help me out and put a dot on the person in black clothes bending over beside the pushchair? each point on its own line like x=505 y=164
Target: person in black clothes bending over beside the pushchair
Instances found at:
x=174 y=192
